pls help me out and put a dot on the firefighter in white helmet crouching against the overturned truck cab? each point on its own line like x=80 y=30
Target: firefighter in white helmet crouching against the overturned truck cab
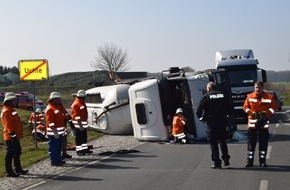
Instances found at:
x=178 y=125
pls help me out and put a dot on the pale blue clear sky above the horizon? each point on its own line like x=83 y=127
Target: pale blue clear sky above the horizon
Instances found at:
x=156 y=34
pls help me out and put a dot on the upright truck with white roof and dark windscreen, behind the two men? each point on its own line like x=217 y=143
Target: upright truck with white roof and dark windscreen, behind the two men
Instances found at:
x=243 y=72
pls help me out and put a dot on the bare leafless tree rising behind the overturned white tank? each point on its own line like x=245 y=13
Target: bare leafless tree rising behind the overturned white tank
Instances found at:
x=112 y=59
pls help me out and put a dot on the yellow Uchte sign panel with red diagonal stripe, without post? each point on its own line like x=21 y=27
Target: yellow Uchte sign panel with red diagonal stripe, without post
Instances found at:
x=35 y=69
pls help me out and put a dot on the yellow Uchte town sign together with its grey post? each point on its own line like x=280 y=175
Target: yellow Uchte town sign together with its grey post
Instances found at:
x=33 y=70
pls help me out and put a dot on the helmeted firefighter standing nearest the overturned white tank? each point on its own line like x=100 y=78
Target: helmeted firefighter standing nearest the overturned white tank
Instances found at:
x=80 y=121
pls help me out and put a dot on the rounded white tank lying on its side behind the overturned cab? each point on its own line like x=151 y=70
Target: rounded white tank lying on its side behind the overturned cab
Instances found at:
x=108 y=109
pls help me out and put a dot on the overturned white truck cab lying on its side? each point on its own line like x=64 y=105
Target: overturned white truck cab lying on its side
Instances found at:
x=153 y=102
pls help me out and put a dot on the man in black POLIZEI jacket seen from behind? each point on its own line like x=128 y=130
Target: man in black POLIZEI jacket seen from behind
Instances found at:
x=214 y=109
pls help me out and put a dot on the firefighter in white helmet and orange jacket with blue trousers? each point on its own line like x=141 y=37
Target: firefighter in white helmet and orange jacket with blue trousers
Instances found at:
x=55 y=129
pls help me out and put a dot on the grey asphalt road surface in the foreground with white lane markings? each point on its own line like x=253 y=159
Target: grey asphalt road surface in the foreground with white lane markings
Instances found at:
x=168 y=166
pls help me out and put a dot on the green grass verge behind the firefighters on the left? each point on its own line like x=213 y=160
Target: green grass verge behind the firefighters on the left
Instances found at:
x=31 y=154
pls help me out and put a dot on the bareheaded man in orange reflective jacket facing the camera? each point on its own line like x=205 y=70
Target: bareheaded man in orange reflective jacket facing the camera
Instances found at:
x=259 y=106
